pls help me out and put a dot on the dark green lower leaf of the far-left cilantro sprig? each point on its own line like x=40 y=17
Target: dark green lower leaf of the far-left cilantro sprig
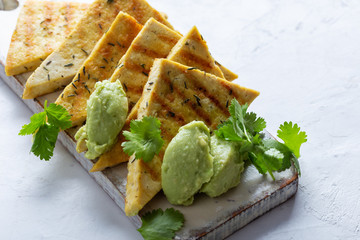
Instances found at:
x=44 y=141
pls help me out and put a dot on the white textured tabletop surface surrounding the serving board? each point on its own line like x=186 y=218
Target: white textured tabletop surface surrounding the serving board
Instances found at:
x=304 y=58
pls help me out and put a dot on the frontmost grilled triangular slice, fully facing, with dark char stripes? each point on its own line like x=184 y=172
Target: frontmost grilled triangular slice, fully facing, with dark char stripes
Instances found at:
x=177 y=95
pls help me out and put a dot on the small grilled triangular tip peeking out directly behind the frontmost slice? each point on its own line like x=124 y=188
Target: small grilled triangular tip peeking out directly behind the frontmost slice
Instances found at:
x=192 y=50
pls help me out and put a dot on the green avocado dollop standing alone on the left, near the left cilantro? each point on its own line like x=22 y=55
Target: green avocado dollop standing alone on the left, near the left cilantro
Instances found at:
x=107 y=110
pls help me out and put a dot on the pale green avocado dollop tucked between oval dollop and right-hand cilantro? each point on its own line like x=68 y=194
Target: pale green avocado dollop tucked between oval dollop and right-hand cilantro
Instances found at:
x=228 y=166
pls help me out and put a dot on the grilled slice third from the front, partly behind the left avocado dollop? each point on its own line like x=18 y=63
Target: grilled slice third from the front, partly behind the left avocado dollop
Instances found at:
x=155 y=40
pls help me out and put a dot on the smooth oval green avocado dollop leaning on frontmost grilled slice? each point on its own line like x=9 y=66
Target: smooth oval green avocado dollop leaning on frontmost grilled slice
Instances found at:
x=187 y=163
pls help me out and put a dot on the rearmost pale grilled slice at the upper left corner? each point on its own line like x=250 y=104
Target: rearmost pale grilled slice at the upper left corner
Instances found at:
x=40 y=28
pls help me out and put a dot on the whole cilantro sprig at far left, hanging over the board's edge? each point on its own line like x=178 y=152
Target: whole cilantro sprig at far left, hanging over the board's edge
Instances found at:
x=45 y=127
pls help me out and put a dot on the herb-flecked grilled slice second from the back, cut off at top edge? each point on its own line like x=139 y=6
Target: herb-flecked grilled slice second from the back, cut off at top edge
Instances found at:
x=80 y=43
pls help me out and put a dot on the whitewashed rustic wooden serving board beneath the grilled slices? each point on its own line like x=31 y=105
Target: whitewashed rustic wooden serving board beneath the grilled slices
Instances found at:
x=207 y=218
